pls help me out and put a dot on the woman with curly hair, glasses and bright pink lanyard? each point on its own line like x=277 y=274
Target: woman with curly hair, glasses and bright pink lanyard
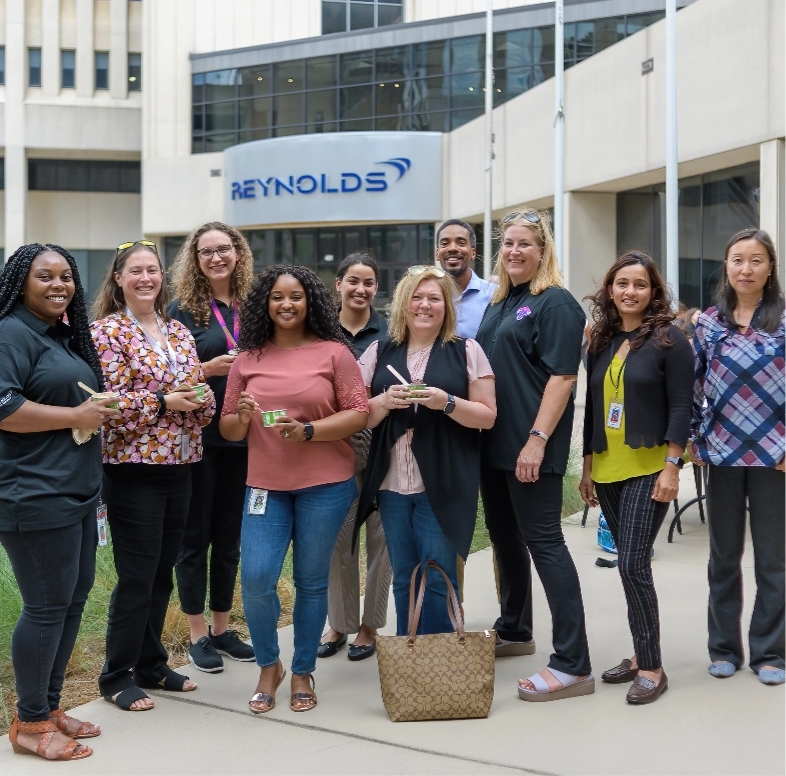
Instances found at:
x=210 y=278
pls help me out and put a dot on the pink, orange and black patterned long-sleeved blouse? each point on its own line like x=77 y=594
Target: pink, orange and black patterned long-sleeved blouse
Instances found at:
x=134 y=369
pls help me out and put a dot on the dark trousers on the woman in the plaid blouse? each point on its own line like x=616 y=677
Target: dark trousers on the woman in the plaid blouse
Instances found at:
x=727 y=490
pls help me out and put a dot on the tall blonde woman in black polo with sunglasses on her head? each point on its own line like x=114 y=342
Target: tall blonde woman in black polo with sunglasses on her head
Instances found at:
x=532 y=333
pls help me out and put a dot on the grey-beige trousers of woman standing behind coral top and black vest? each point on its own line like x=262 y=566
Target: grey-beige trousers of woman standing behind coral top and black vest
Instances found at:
x=344 y=582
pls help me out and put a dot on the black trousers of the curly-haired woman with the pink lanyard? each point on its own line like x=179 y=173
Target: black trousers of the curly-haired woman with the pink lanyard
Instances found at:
x=215 y=516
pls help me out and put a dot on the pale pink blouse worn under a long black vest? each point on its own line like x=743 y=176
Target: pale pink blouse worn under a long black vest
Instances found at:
x=404 y=475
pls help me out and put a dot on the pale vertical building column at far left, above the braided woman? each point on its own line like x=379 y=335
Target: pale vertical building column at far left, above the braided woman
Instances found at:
x=15 y=158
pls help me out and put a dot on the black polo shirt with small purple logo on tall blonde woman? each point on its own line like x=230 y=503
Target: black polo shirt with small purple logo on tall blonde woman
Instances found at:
x=527 y=340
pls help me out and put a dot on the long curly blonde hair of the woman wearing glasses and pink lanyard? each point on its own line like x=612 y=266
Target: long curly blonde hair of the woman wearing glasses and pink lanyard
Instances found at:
x=190 y=285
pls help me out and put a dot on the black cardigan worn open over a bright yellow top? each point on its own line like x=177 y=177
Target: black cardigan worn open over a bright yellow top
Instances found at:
x=658 y=393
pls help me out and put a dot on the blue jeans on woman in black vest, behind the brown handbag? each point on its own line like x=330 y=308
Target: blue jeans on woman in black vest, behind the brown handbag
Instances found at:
x=414 y=535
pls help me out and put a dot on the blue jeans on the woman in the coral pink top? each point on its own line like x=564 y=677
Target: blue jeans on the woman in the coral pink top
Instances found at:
x=310 y=518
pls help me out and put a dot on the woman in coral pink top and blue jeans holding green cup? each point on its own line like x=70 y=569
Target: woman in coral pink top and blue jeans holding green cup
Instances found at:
x=295 y=359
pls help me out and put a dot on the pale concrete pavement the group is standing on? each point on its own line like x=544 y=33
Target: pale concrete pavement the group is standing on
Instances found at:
x=701 y=725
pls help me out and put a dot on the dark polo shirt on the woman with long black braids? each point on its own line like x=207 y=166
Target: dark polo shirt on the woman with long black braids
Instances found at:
x=46 y=479
